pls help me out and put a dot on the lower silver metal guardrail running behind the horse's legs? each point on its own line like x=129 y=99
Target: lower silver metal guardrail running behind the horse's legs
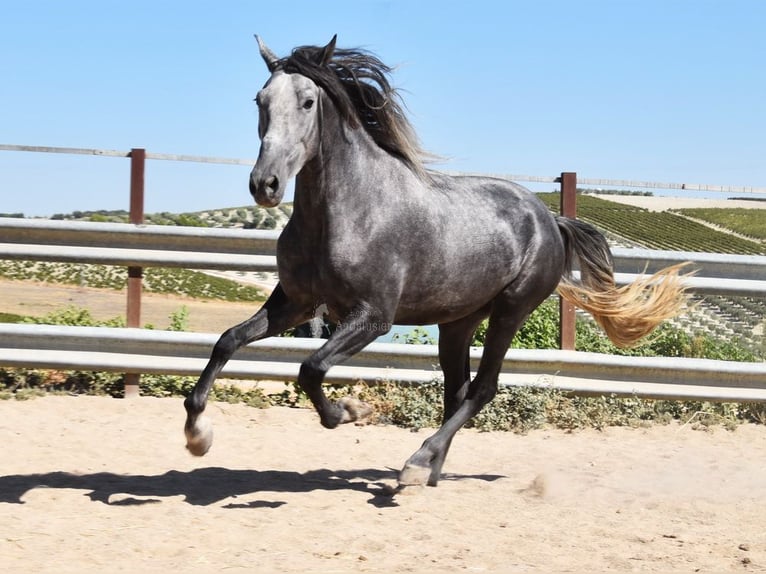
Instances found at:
x=147 y=351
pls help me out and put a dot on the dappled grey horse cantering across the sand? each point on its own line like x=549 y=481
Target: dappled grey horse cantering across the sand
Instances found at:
x=377 y=238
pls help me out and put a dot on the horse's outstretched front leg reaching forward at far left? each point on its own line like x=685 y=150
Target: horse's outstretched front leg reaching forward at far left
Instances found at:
x=277 y=314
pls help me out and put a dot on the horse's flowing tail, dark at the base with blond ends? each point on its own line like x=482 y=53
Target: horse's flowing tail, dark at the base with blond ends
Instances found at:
x=628 y=313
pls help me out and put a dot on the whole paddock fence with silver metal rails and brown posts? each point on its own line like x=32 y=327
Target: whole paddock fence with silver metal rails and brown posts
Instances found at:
x=134 y=351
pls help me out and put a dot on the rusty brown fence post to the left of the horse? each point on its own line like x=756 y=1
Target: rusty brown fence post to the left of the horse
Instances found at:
x=135 y=274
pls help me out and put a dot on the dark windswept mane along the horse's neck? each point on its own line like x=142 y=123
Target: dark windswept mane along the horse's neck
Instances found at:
x=357 y=82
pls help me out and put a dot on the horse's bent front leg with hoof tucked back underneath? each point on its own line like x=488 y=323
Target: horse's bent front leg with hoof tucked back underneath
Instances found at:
x=355 y=332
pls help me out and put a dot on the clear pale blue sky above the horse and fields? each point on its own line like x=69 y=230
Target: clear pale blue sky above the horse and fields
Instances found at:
x=659 y=90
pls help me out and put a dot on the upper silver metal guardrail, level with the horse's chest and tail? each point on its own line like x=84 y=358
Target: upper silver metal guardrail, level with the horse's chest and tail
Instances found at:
x=254 y=250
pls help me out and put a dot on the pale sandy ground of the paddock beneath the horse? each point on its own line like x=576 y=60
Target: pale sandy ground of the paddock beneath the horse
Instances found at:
x=104 y=485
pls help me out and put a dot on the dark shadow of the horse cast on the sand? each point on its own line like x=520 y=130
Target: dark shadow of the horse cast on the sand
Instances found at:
x=206 y=486
